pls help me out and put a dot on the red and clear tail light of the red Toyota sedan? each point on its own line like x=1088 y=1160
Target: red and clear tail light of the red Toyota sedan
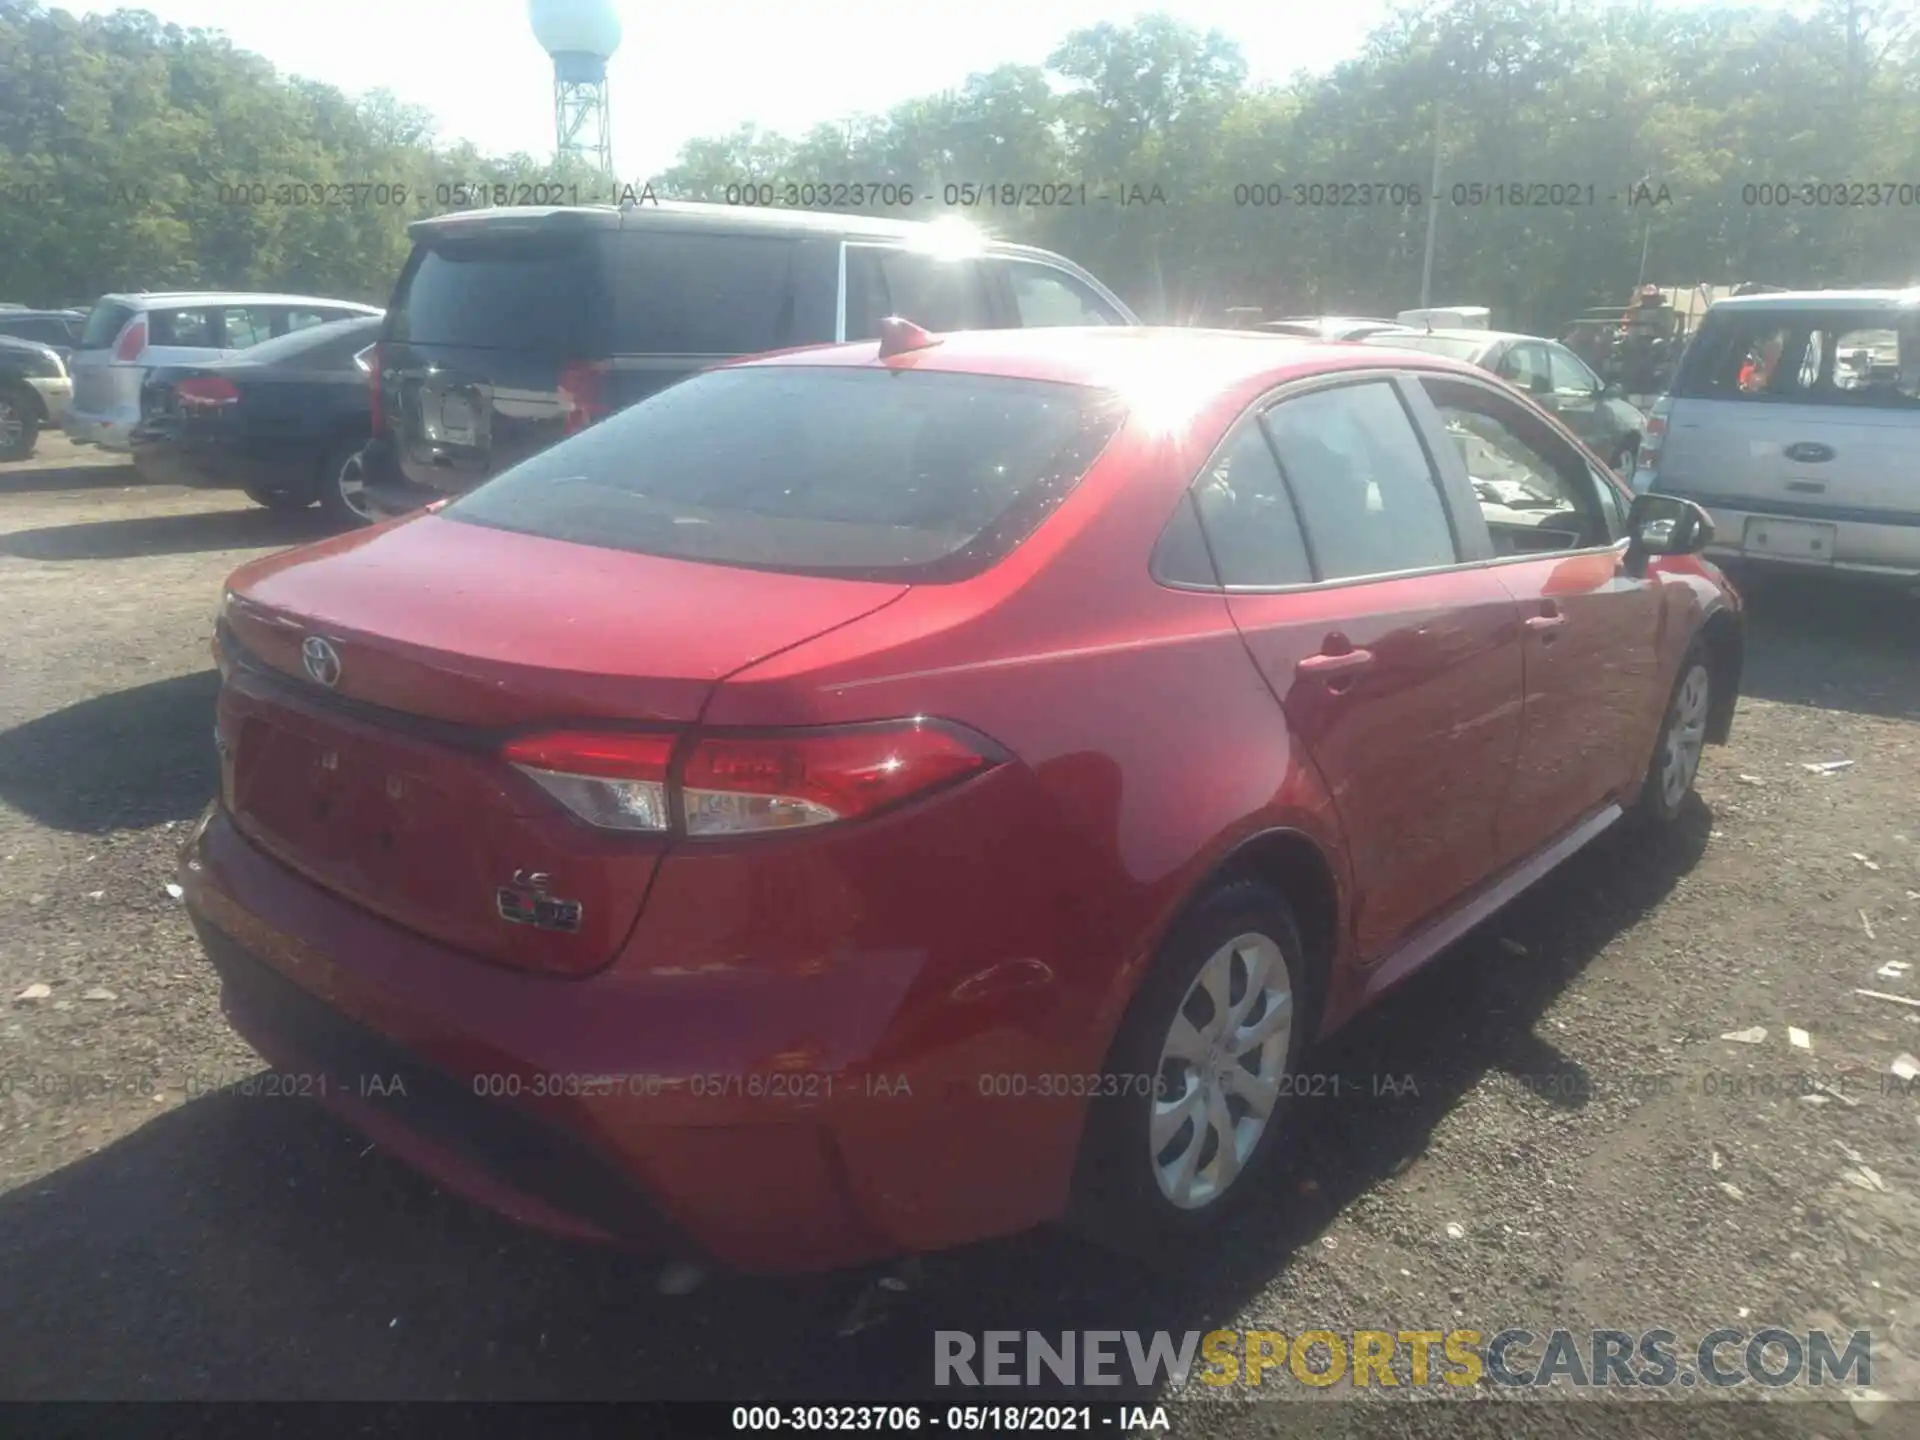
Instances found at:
x=746 y=784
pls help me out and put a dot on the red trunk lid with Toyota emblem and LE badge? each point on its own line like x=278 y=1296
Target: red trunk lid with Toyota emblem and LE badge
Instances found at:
x=441 y=640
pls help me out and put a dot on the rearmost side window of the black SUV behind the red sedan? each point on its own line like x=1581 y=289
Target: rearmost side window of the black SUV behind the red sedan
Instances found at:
x=706 y=295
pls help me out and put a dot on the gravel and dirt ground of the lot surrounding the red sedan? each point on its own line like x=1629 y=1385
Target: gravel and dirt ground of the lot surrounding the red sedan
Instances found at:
x=1606 y=1157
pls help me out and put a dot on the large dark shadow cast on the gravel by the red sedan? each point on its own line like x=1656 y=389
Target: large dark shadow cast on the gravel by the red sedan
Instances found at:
x=128 y=1274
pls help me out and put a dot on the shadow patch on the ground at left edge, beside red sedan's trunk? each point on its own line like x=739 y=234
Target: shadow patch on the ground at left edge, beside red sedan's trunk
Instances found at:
x=126 y=761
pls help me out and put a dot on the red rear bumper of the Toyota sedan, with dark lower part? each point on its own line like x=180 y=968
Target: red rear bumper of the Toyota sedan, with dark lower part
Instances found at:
x=636 y=1105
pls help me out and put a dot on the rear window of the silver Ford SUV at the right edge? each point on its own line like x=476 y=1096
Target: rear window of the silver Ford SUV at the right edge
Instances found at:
x=1808 y=358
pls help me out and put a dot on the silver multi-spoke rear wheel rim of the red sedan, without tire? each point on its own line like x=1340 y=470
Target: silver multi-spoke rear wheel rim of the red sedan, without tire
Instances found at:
x=1220 y=1074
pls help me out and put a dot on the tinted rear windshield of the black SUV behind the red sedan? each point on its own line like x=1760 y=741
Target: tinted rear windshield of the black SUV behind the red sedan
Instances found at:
x=502 y=293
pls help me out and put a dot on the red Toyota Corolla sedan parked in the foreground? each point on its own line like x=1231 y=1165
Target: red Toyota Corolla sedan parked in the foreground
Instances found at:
x=876 y=798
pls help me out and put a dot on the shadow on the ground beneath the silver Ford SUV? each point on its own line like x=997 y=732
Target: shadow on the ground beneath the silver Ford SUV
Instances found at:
x=1833 y=642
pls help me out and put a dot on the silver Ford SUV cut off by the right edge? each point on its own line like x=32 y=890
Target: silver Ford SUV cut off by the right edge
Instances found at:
x=1796 y=418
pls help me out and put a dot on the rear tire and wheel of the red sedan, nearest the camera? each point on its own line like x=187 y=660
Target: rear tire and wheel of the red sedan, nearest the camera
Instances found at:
x=1151 y=1168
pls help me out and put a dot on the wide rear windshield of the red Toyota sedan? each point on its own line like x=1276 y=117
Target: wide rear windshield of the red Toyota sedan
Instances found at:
x=873 y=475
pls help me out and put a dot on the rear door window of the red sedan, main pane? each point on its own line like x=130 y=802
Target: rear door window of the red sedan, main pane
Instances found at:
x=1362 y=481
